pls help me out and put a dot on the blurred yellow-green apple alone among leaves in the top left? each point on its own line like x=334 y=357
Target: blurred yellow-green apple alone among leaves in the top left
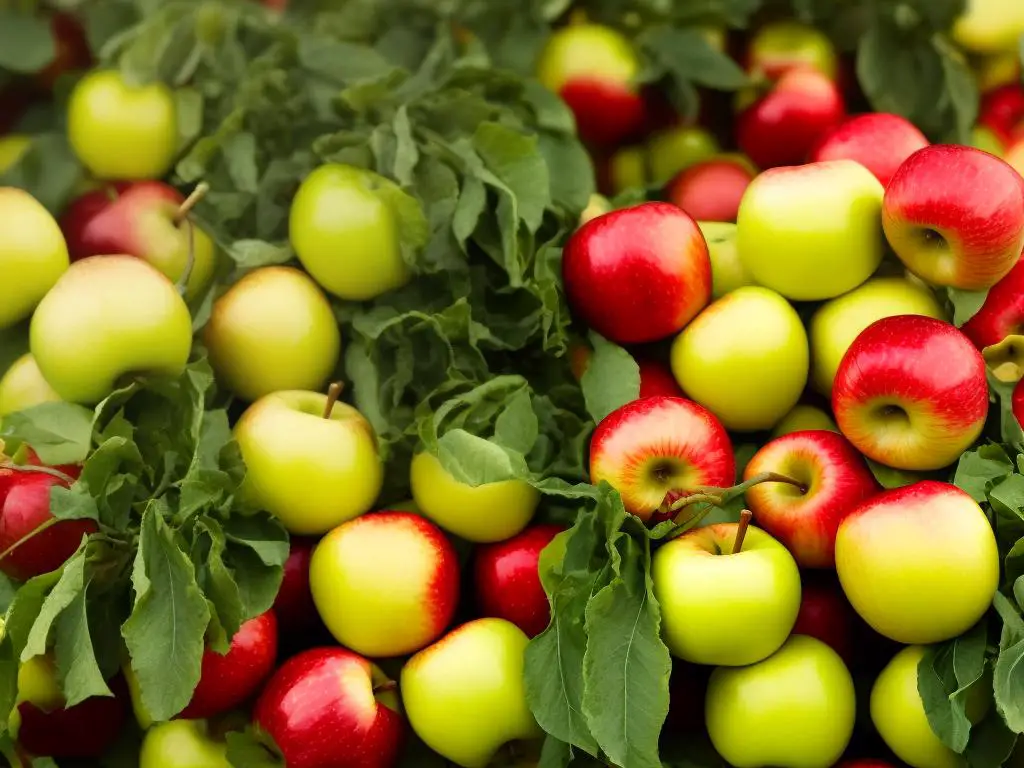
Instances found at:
x=122 y=132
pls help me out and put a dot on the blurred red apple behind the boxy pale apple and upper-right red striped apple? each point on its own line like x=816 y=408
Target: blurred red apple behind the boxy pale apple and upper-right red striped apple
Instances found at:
x=880 y=142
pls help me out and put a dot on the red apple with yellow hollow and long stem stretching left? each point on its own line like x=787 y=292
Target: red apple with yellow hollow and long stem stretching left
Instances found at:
x=835 y=479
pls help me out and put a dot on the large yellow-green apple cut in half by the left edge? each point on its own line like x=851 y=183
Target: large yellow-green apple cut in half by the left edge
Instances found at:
x=33 y=254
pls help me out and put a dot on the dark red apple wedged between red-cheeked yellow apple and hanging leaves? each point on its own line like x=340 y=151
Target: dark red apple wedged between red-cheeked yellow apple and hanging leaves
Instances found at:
x=508 y=581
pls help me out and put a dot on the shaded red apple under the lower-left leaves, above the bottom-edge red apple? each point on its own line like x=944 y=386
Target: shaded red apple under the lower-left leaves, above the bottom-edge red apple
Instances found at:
x=231 y=679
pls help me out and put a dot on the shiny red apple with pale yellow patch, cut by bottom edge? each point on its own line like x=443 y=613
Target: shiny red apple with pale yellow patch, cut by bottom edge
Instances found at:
x=329 y=708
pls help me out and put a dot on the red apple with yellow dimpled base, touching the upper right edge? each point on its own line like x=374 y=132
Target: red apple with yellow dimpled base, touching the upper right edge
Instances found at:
x=966 y=236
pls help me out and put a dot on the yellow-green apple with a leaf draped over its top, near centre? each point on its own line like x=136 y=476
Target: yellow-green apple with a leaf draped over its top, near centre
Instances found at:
x=490 y=513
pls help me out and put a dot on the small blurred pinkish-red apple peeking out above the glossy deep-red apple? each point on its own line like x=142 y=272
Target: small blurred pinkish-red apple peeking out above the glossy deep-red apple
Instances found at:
x=711 y=190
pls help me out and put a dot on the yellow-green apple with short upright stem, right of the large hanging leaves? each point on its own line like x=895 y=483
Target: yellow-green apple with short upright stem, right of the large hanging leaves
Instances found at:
x=723 y=609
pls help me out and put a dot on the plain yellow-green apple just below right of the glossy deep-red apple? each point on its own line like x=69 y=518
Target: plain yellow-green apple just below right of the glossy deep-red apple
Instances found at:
x=750 y=329
